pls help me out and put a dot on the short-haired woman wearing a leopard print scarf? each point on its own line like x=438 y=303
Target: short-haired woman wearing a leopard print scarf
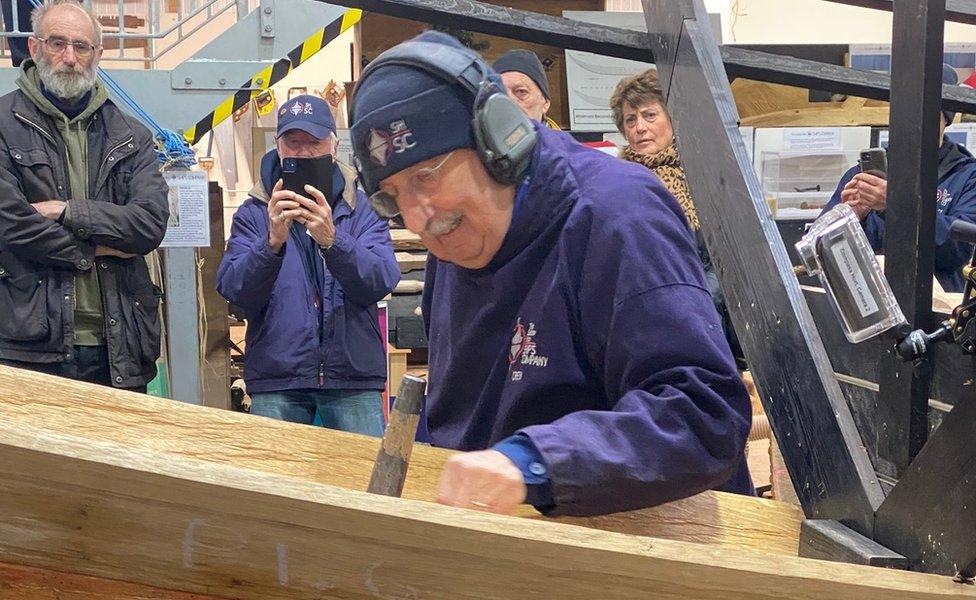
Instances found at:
x=641 y=116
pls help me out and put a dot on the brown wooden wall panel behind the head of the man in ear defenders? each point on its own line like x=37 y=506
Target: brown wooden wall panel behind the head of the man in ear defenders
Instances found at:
x=380 y=32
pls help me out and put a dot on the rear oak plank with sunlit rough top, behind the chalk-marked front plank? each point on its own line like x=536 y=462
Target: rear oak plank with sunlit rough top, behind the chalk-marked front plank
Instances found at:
x=342 y=459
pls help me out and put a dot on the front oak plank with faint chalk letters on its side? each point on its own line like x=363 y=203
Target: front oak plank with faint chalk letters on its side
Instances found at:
x=116 y=511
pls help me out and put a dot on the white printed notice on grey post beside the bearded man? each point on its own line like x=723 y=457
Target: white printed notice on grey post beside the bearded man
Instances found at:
x=189 y=210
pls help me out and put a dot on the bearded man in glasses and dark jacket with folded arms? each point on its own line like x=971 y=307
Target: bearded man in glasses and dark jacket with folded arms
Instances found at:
x=82 y=201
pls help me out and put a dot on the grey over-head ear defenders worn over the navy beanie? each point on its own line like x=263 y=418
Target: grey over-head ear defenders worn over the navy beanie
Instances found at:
x=505 y=138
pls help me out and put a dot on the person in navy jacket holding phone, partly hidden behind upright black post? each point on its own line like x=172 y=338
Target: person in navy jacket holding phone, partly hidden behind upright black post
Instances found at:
x=867 y=195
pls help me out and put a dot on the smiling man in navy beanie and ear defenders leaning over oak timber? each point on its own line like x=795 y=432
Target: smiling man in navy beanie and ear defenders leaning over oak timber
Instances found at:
x=574 y=350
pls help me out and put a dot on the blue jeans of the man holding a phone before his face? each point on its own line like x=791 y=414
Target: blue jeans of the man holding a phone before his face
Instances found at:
x=356 y=411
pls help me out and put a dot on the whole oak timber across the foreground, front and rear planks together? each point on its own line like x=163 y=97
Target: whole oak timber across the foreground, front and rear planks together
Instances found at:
x=108 y=484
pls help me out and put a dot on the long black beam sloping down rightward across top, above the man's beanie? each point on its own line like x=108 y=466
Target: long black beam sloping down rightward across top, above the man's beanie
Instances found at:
x=625 y=43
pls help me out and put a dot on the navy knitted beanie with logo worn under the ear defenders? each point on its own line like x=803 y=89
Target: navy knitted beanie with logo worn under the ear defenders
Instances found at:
x=405 y=115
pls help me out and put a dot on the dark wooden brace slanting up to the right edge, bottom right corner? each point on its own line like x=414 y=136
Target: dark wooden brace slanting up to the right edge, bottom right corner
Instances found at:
x=930 y=516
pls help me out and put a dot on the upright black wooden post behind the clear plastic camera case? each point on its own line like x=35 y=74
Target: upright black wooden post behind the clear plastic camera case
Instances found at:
x=910 y=221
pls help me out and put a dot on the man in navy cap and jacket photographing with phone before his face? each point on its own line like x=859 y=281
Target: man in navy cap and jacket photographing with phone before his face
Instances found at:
x=308 y=278
